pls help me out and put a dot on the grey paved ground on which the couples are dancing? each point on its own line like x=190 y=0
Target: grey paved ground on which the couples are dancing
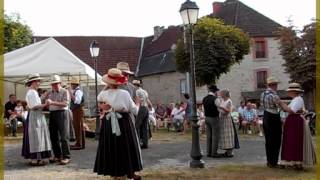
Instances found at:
x=161 y=154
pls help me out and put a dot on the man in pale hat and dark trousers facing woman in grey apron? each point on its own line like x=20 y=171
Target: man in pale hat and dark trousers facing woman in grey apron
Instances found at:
x=58 y=100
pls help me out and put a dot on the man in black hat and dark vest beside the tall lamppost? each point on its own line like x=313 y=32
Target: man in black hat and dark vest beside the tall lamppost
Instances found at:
x=210 y=104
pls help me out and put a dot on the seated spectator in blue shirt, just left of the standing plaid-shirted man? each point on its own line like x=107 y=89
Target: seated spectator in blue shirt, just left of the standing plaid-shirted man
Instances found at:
x=249 y=116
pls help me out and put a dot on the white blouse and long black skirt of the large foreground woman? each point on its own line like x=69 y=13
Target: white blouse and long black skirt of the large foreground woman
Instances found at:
x=118 y=155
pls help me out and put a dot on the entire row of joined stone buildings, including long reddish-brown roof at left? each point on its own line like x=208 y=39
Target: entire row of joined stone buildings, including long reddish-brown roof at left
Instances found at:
x=152 y=57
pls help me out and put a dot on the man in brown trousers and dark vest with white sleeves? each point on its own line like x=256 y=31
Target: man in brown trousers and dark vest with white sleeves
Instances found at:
x=76 y=106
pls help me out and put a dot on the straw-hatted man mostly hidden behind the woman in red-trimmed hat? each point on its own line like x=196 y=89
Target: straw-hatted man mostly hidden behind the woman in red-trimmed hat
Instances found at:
x=125 y=69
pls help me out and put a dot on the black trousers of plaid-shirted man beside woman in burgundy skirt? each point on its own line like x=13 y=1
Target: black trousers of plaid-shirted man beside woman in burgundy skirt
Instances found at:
x=272 y=128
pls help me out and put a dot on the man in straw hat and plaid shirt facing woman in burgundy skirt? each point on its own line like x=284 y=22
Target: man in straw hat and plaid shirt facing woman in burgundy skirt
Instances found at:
x=272 y=126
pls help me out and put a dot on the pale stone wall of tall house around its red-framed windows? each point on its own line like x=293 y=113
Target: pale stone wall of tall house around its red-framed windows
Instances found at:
x=242 y=77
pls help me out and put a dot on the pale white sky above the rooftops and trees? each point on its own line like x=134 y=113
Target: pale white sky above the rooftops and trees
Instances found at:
x=135 y=17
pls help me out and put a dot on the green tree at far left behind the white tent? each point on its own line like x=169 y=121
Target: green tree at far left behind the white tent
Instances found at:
x=16 y=33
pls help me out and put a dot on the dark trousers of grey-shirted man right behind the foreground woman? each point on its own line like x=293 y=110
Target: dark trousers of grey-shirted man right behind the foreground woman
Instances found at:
x=142 y=126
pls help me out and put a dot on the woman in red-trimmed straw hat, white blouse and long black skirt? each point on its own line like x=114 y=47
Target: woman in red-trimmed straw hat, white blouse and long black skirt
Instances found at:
x=118 y=153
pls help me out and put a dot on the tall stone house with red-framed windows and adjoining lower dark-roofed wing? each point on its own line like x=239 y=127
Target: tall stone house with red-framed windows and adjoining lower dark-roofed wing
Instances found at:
x=245 y=80
